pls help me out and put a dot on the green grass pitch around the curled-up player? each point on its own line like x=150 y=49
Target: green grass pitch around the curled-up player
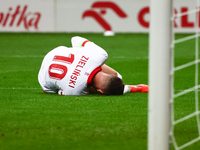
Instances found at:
x=30 y=119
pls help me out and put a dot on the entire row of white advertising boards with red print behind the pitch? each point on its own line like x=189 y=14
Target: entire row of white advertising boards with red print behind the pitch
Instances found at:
x=87 y=15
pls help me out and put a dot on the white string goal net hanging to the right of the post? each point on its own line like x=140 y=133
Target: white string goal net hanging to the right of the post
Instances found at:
x=185 y=72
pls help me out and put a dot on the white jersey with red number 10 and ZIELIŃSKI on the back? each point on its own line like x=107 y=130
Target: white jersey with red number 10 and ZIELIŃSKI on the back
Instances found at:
x=69 y=71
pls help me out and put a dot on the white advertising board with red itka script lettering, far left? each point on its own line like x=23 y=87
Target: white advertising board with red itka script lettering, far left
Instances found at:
x=27 y=15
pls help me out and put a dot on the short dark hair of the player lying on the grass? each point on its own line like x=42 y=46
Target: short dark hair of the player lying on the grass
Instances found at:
x=115 y=86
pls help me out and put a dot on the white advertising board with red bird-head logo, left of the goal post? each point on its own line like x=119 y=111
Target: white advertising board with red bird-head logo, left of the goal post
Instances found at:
x=98 y=16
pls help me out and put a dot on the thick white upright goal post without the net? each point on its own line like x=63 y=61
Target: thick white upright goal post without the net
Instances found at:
x=160 y=78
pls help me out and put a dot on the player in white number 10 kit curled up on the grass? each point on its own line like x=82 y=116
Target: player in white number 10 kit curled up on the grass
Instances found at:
x=80 y=70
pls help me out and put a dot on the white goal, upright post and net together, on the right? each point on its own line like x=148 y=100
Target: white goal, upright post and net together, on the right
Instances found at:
x=173 y=79
